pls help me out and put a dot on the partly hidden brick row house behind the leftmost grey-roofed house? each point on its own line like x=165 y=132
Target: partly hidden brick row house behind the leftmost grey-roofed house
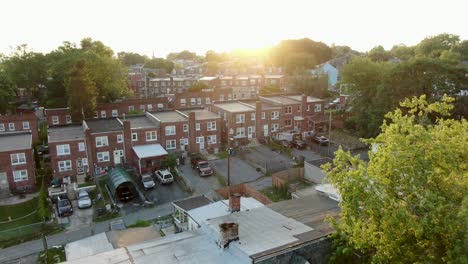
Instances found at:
x=25 y=122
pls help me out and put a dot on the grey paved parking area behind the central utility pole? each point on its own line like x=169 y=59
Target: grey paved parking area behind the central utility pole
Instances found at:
x=241 y=171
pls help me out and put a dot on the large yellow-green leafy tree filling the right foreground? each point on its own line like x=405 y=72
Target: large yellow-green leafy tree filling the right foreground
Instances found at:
x=409 y=203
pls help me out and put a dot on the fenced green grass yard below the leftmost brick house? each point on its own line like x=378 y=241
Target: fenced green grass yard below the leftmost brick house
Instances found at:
x=16 y=211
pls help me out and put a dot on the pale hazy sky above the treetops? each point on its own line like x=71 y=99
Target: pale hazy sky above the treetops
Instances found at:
x=222 y=25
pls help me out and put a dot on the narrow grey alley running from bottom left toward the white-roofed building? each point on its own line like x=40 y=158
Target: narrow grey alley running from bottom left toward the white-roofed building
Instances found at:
x=36 y=246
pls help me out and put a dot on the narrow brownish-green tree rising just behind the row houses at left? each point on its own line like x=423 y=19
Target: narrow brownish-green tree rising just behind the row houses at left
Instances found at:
x=82 y=92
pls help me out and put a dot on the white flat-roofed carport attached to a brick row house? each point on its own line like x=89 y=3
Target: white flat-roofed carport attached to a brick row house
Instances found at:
x=150 y=155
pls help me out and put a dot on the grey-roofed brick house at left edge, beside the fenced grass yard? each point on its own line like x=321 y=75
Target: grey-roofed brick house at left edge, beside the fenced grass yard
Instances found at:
x=17 y=165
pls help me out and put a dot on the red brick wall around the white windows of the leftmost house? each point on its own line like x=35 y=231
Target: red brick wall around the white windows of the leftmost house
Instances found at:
x=5 y=166
